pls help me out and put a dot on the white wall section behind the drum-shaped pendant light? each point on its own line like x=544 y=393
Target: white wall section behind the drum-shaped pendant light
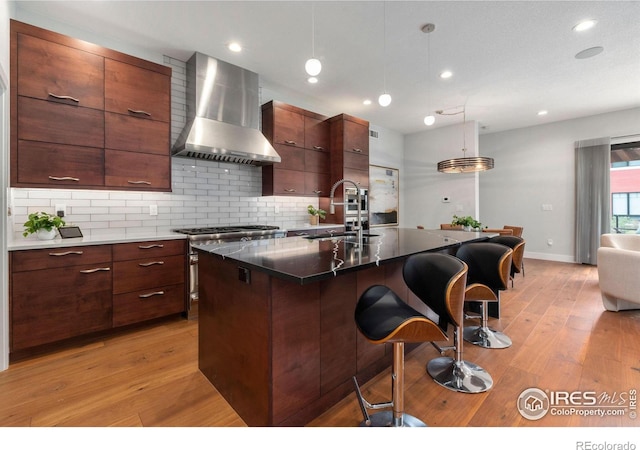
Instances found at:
x=424 y=187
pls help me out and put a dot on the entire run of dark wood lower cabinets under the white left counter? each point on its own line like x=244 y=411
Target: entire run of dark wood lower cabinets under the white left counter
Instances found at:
x=62 y=293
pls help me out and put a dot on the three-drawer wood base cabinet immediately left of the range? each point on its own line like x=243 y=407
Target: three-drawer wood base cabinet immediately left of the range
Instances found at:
x=149 y=280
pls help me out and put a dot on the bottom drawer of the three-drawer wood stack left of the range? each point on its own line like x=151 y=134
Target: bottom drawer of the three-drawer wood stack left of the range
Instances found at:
x=148 y=304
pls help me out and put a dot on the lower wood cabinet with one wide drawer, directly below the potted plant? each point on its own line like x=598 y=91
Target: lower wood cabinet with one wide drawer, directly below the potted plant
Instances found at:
x=57 y=294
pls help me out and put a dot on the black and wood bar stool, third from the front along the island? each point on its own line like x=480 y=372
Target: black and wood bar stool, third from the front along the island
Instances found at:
x=489 y=265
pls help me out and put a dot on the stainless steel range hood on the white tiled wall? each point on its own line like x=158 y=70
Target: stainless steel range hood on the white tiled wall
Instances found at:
x=223 y=115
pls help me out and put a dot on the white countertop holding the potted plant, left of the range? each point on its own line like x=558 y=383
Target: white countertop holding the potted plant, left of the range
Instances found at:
x=18 y=242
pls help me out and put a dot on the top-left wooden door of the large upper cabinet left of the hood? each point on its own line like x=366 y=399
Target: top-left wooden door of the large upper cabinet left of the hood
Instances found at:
x=55 y=72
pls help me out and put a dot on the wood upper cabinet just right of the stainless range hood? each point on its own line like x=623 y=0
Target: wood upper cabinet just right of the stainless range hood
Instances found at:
x=301 y=138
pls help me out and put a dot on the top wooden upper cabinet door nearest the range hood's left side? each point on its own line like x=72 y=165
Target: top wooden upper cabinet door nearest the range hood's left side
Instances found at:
x=137 y=92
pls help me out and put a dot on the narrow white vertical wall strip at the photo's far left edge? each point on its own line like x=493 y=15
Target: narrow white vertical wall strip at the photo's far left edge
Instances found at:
x=6 y=9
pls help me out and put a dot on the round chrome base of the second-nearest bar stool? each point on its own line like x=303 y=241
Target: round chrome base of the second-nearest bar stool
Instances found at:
x=459 y=376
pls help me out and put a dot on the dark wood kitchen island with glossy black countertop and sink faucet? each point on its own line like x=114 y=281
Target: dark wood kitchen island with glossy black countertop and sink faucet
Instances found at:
x=276 y=331
